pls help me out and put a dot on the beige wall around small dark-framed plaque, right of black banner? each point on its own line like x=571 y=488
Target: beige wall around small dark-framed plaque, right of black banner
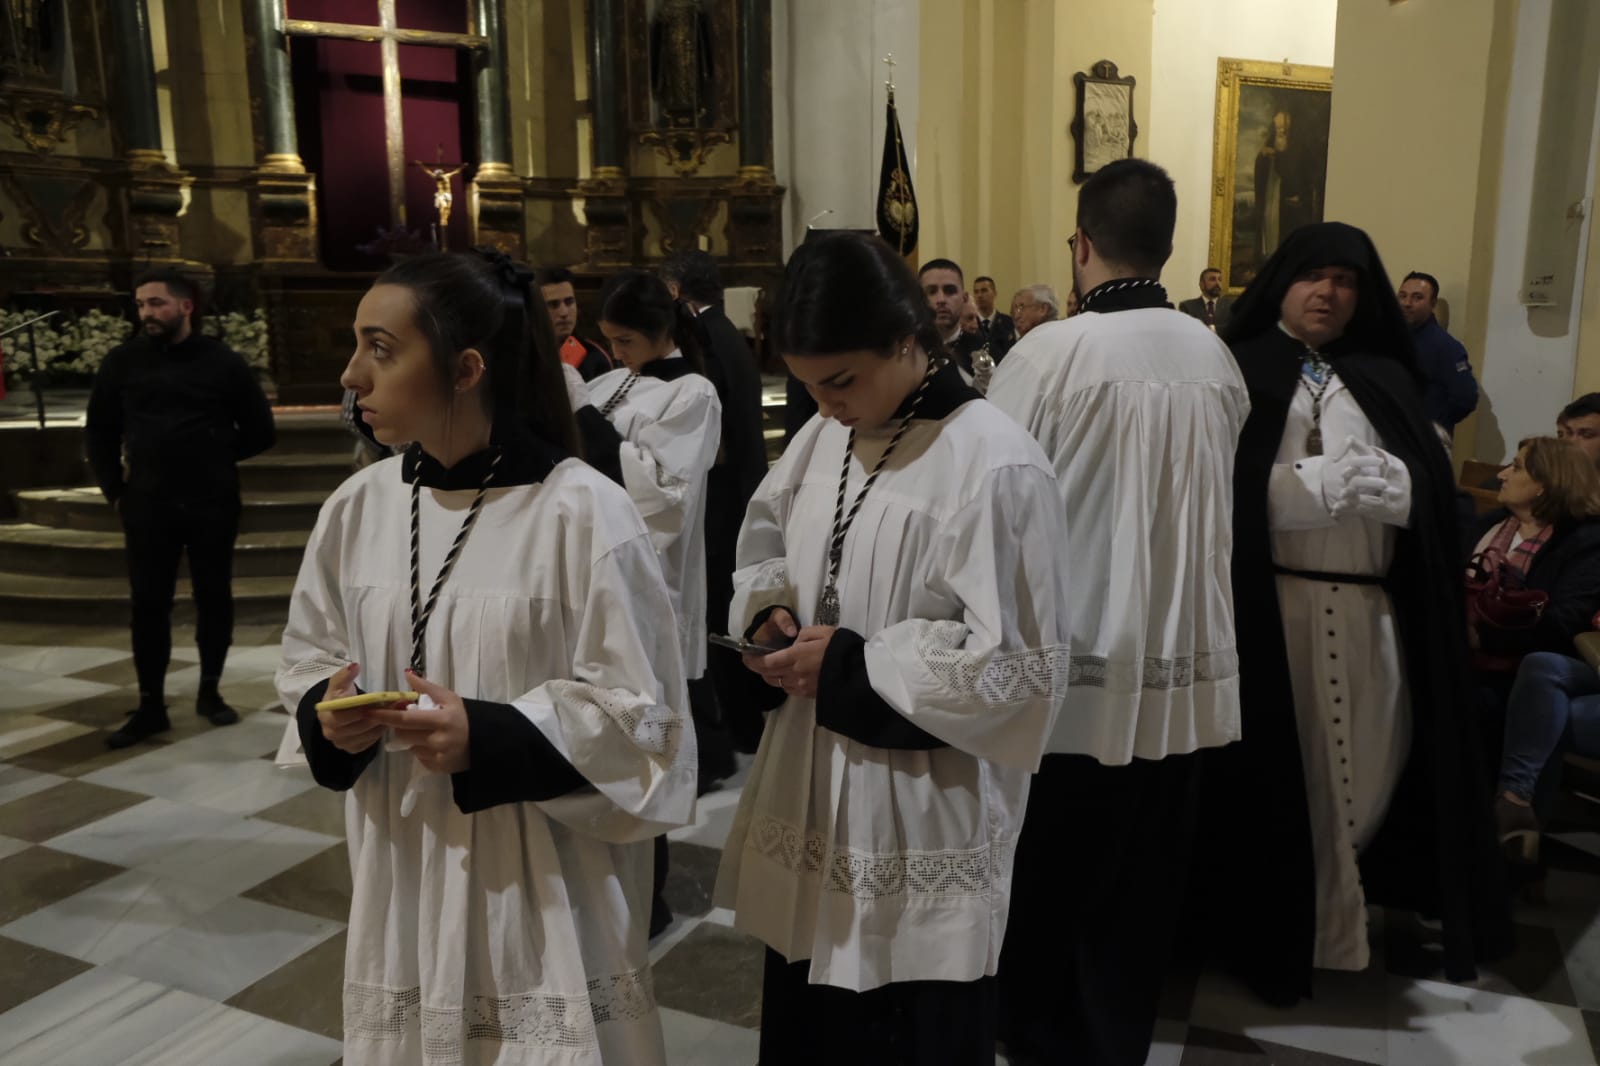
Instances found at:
x=994 y=151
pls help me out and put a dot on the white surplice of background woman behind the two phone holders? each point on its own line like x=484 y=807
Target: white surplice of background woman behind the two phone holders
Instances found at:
x=671 y=431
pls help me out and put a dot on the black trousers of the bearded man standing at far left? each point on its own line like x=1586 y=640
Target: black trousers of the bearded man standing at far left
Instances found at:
x=158 y=532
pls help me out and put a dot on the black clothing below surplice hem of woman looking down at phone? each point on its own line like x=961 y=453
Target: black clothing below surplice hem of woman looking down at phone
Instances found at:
x=908 y=1024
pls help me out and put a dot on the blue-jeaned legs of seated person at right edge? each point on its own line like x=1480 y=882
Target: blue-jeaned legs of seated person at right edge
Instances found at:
x=1554 y=707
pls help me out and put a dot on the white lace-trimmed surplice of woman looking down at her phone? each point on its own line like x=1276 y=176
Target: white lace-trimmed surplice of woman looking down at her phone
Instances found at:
x=895 y=865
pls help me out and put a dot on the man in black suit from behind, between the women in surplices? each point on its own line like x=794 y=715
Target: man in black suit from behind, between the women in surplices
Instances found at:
x=742 y=465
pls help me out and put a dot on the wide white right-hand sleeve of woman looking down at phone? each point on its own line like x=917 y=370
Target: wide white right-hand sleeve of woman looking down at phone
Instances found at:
x=990 y=681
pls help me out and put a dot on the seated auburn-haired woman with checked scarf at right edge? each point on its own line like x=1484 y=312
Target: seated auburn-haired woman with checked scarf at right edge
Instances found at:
x=1550 y=531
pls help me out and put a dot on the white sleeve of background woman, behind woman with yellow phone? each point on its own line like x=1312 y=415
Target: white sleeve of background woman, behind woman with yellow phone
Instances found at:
x=663 y=460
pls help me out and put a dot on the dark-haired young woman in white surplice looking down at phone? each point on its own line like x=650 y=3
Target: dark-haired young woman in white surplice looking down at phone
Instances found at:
x=873 y=844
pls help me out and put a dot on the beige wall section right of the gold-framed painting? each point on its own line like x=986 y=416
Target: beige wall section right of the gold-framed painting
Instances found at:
x=1414 y=154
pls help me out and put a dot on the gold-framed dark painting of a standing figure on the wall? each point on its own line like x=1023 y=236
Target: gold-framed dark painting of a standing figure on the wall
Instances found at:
x=1270 y=161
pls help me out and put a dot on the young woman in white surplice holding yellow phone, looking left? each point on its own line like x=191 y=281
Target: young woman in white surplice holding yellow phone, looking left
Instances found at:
x=500 y=840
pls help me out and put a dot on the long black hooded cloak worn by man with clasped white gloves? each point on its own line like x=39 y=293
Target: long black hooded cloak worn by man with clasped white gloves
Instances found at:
x=1436 y=851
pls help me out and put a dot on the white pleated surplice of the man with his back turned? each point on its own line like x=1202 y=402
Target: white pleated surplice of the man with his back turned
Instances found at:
x=1142 y=414
